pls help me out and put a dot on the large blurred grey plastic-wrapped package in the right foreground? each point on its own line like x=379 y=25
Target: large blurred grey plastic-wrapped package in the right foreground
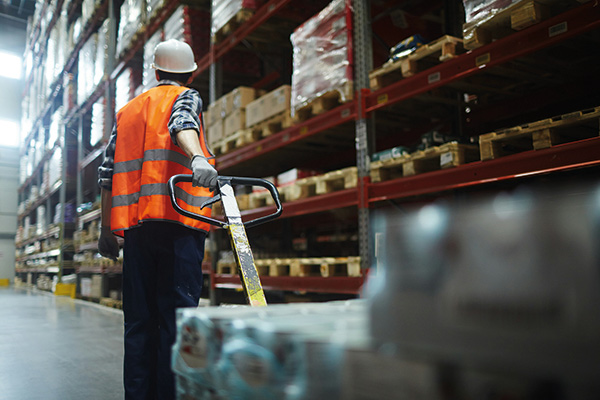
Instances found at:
x=507 y=284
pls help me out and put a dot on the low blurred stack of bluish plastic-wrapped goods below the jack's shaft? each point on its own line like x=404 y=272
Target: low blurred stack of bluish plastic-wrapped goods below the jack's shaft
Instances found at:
x=277 y=352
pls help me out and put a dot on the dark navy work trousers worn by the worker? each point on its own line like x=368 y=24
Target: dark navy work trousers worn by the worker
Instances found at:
x=161 y=272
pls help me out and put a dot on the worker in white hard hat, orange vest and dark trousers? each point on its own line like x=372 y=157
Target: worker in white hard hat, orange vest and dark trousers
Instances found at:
x=157 y=135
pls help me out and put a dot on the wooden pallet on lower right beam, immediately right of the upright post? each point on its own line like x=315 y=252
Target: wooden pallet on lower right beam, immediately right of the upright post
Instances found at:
x=434 y=158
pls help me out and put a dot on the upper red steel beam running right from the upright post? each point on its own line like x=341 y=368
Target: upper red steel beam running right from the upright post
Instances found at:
x=554 y=30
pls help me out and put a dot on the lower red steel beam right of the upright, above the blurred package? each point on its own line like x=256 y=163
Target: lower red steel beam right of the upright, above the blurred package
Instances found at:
x=583 y=153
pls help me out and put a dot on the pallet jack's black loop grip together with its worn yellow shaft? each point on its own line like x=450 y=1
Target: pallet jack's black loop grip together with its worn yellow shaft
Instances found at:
x=235 y=226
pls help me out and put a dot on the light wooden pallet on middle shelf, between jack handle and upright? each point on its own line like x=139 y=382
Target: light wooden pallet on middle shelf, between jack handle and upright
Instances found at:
x=321 y=184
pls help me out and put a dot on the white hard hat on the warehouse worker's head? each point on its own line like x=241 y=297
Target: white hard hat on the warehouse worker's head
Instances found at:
x=174 y=56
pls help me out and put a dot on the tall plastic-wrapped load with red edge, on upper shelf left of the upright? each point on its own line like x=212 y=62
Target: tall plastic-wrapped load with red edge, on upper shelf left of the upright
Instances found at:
x=322 y=55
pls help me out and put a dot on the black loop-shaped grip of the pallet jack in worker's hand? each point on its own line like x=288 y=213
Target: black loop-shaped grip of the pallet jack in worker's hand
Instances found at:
x=224 y=180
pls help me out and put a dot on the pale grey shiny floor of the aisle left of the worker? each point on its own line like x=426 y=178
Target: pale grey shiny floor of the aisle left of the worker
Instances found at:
x=58 y=348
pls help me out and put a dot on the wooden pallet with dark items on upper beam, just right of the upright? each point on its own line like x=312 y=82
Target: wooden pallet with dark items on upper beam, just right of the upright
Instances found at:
x=440 y=50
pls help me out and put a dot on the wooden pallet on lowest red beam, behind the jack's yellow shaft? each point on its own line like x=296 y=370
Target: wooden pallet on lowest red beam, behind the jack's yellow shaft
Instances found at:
x=300 y=267
